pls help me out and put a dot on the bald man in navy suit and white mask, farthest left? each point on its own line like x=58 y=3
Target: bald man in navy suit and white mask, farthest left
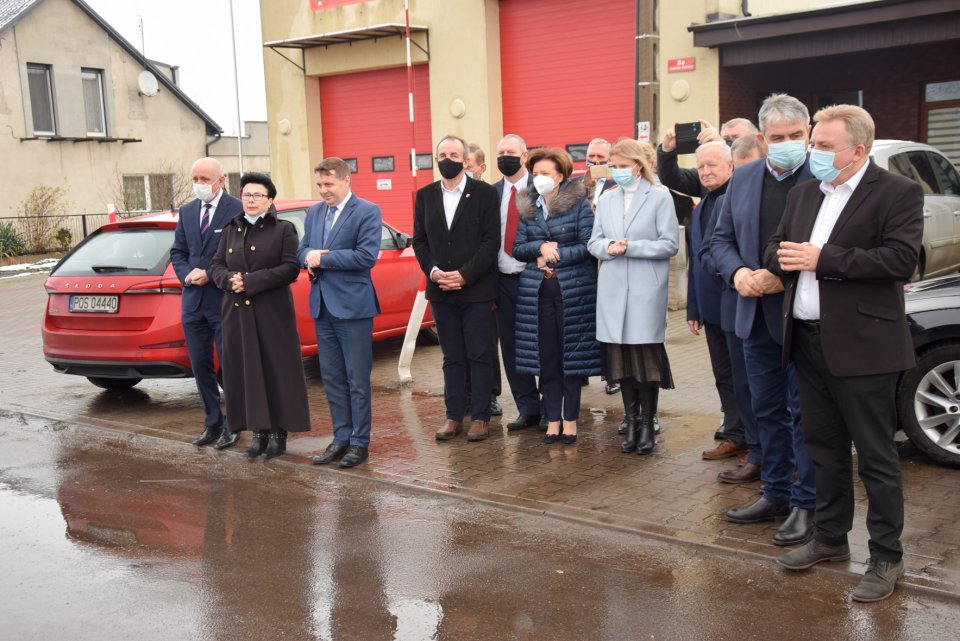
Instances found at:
x=194 y=244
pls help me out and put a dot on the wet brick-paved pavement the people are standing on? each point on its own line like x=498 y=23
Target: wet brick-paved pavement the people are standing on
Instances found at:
x=671 y=493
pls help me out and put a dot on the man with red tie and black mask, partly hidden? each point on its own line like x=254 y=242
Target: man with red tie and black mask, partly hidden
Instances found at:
x=511 y=158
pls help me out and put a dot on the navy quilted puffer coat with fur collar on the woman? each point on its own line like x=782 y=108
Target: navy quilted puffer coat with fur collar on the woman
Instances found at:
x=570 y=225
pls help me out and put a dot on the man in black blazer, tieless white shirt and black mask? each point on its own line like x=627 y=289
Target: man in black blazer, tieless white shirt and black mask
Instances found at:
x=456 y=235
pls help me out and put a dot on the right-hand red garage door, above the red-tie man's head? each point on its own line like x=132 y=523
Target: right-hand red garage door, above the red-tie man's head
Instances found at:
x=567 y=70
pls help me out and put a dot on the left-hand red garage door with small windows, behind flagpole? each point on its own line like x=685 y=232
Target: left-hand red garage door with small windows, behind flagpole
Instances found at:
x=365 y=117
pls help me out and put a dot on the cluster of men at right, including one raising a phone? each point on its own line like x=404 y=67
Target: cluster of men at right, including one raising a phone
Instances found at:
x=798 y=261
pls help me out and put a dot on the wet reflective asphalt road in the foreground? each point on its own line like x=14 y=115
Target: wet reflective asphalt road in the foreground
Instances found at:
x=118 y=536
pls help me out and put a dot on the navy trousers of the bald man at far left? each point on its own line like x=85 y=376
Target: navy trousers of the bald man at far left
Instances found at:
x=201 y=329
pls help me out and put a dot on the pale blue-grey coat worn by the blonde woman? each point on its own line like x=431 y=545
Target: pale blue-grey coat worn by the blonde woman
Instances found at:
x=632 y=288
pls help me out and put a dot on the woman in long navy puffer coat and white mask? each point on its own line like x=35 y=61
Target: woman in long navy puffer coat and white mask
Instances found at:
x=556 y=305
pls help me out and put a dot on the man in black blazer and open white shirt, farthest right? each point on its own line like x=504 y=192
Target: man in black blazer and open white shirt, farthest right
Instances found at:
x=845 y=246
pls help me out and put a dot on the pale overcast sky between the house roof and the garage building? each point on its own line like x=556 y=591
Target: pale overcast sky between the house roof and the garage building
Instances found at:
x=195 y=34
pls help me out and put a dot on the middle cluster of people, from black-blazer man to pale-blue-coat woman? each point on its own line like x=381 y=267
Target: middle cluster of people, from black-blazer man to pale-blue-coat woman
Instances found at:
x=570 y=292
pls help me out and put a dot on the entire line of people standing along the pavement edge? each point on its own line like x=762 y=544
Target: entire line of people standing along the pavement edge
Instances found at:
x=798 y=250
